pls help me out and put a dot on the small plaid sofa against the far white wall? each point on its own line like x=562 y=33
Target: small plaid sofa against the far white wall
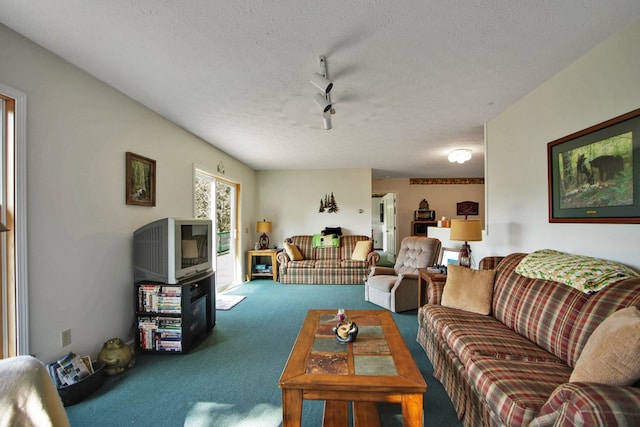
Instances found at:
x=325 y=265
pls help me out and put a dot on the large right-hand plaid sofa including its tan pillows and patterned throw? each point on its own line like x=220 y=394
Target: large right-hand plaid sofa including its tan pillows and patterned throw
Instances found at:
x=547 y=354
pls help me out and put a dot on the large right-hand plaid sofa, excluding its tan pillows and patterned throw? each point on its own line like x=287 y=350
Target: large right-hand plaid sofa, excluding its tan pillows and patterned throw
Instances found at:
x=512 y=368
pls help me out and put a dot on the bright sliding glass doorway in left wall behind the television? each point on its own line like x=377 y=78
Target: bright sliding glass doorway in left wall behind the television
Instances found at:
x=216 y=199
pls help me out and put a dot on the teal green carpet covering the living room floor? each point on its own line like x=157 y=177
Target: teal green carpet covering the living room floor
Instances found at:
x=231 y=379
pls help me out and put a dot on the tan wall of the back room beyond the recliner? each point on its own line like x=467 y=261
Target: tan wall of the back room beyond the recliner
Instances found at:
x=442 y=198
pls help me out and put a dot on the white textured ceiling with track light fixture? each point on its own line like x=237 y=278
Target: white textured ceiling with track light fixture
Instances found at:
x=413 y=79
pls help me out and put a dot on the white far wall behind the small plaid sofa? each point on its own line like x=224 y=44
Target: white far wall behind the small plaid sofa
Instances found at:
x=290 y=199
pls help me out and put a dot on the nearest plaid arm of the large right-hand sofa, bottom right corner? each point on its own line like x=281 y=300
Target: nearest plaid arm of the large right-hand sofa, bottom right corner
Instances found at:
x=590 y=404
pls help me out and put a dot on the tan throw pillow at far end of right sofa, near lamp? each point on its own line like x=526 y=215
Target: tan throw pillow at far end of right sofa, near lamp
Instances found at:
x=469 y=290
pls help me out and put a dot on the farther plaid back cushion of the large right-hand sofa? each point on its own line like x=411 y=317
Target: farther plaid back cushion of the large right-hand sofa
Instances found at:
x=541 y=310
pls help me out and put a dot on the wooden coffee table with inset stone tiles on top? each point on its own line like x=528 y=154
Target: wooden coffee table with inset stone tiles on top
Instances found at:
x=376 y=367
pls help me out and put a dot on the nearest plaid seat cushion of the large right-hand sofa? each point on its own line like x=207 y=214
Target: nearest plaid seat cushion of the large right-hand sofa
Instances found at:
x=515 y=390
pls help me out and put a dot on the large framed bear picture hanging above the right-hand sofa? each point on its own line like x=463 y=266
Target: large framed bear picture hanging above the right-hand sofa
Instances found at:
x=594 y=174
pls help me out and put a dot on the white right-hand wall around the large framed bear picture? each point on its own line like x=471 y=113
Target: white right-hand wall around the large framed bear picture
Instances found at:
x=601 y=85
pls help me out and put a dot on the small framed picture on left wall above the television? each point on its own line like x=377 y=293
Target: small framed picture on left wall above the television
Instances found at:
x=140 y=180
